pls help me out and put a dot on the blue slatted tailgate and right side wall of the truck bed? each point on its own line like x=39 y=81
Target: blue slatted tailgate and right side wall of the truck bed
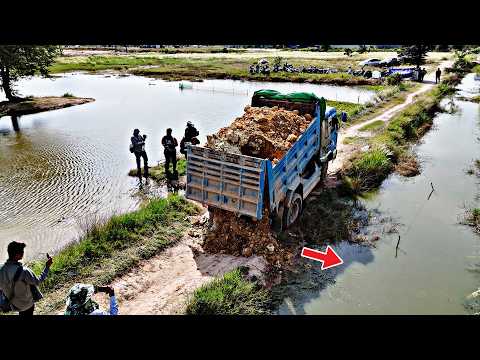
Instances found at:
x=241 y=183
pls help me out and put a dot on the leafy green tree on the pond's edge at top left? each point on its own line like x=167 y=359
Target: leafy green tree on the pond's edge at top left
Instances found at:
x=17 y=61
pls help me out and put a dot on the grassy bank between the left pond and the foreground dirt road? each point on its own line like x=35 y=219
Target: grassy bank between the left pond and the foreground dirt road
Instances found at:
x=109 y=249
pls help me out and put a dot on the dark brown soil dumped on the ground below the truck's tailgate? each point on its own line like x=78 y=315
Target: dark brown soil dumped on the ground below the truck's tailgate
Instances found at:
x=244 y=237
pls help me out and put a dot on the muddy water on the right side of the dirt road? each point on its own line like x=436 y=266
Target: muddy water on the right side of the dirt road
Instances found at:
x=432 y=271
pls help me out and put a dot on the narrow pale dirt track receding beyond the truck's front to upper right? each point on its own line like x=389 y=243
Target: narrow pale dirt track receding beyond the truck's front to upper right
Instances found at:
x=345 y=150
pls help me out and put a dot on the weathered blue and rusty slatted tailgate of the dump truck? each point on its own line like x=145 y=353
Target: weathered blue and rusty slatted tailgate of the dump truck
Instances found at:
x=227 y=181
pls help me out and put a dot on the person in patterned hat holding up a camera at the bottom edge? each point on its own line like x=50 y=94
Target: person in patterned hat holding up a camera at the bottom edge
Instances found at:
x=80 y=302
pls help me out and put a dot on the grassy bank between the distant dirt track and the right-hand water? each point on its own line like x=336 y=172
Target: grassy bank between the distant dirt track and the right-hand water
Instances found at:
x=389 y=148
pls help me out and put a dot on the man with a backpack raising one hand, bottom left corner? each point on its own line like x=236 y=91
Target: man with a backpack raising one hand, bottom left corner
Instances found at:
x=18 y=283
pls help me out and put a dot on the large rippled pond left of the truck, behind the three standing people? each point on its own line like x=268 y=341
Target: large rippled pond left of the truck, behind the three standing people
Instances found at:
x=63 y=168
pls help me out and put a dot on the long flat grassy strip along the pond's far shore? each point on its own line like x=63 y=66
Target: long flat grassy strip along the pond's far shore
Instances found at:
x=193 y=68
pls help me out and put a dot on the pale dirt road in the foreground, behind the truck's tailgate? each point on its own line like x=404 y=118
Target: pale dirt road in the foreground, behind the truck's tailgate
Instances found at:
x=162 y=284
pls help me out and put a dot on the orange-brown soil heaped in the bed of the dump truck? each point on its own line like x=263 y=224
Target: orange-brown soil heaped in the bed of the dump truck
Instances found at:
x=262 y=132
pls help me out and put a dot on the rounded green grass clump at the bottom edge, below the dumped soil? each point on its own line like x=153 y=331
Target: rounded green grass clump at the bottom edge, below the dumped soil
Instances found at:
x=230 y=294
